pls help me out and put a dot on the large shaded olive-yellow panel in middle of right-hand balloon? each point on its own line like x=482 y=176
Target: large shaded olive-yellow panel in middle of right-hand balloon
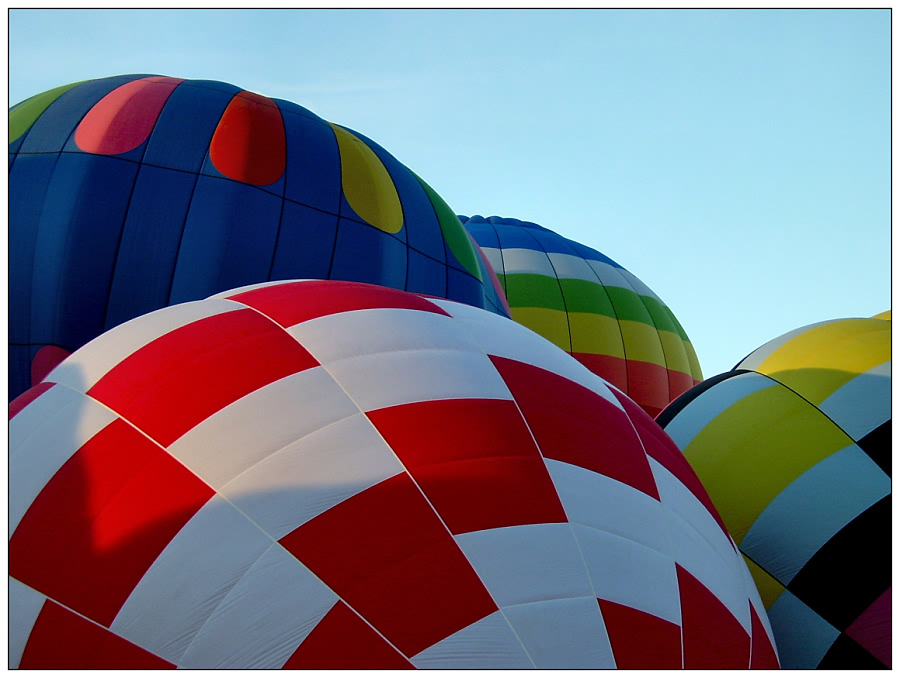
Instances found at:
x=755 y=448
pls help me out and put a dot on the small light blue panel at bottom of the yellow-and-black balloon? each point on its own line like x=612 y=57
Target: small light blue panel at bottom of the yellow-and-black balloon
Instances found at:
x=801 y=636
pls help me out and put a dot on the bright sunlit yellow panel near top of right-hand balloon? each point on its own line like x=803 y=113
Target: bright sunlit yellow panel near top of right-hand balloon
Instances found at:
x=821 y=360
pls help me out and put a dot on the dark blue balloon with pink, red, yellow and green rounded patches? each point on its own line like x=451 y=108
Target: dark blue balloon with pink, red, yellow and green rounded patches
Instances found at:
x=130 y=193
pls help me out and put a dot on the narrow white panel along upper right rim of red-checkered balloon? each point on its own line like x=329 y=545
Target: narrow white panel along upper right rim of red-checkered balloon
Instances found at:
x=505 y=338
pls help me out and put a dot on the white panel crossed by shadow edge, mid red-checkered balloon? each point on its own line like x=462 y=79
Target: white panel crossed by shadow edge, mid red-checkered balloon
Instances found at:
x=313 y=474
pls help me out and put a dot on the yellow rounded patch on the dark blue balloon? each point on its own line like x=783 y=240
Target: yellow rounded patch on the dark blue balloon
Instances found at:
x=367 y=184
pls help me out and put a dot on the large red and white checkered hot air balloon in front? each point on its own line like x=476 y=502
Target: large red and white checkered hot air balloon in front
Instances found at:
x=325 y=474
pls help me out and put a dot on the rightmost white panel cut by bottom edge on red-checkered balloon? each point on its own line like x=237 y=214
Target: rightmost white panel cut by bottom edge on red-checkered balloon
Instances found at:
x=563 y=634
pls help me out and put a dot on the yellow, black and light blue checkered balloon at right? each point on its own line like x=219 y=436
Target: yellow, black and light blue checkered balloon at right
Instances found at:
x=794 y=447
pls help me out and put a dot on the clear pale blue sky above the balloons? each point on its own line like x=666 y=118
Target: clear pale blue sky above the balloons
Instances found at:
x=736 y=161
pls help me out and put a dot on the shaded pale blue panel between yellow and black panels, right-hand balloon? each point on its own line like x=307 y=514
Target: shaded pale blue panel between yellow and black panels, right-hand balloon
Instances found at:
x=812 y=509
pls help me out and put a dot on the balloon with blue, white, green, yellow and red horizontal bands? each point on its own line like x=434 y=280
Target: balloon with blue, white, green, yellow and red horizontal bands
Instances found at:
x=592 y=307
